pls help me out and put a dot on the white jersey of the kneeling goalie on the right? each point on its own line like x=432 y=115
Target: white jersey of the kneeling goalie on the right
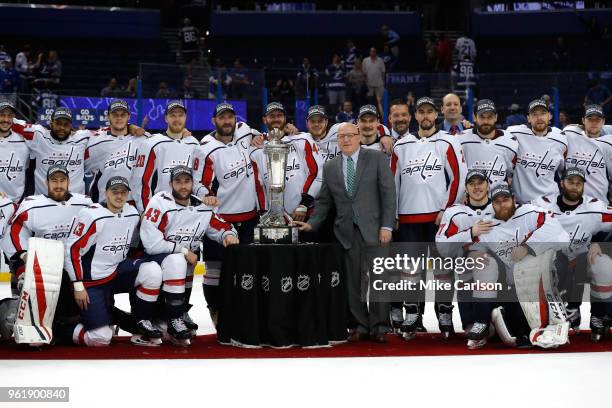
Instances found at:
x=530 y=225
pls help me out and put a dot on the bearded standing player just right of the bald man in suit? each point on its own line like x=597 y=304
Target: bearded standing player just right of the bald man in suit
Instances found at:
x=487 y=148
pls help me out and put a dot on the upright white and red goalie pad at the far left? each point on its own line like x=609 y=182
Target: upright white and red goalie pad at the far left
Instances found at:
x=41 y=286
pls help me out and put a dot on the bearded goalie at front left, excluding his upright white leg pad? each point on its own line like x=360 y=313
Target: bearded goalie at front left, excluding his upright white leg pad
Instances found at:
x=49 y=216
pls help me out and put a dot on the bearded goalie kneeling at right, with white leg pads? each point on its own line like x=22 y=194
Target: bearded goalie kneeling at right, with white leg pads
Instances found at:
x=524 y=240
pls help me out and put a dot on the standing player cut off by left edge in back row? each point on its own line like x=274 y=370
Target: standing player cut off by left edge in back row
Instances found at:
x=14 y=156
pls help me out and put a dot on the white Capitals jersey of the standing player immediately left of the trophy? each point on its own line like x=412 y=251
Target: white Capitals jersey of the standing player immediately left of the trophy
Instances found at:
x=226 y=171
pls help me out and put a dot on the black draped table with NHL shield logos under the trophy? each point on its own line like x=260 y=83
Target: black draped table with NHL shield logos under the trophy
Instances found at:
x=282 y=295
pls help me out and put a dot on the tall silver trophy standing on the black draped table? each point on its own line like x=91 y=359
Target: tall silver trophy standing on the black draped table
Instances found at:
x=275 y=225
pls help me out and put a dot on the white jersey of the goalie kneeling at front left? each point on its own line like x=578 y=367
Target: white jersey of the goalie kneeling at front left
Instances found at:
x=41 y=217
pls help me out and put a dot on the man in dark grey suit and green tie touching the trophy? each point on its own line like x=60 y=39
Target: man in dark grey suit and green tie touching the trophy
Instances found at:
x=359 y=184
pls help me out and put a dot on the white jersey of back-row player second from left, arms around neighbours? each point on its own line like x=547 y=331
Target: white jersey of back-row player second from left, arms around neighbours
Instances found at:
x=48 y=151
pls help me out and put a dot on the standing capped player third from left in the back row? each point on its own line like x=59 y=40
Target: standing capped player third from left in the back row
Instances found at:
x=112 y=152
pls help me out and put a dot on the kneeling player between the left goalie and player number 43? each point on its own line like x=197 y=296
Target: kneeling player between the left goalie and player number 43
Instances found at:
x=95 y=259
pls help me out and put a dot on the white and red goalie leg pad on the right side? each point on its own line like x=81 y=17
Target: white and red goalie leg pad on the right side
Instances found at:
x=541 y=303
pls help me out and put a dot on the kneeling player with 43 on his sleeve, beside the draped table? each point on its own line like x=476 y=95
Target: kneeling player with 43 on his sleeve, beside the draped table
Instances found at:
x=173 y=227
